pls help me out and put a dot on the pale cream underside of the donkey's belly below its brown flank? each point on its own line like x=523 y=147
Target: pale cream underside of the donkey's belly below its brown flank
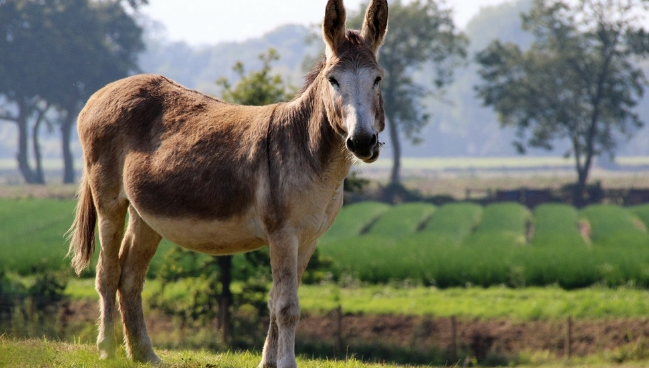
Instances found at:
x=217 y=237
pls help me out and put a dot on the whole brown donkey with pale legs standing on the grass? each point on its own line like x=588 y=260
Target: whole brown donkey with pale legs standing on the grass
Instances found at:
x=221 y=178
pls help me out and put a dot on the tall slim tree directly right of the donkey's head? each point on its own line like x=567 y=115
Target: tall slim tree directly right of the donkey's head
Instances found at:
x=420 y=34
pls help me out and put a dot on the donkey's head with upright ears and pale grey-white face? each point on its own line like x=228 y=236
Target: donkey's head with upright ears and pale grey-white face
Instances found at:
x=352 y=74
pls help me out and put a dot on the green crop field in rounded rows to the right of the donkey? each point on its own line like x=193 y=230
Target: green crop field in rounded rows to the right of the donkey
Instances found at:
x=503 y=244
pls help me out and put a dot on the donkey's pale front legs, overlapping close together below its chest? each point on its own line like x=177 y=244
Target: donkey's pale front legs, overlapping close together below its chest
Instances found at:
x=284 y=305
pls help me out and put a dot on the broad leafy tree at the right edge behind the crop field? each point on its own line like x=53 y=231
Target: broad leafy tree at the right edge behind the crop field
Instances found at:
x=577 y=81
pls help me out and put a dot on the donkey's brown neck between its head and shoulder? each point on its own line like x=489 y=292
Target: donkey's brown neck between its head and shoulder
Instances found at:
x=304 y=122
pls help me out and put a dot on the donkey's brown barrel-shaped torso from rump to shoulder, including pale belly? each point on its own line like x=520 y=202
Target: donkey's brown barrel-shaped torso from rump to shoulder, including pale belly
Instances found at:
x=187 y=163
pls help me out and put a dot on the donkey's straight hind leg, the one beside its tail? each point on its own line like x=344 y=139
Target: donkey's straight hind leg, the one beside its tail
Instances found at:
x=111 y=215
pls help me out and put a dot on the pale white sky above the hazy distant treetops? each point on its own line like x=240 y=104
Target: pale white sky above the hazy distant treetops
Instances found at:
x=206 y=22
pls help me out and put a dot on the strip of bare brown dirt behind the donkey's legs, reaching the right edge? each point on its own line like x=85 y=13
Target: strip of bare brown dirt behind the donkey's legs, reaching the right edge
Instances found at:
x=479 y=337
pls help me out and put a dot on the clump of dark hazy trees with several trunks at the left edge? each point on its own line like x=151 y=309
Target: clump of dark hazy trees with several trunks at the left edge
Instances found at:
x=55 y=53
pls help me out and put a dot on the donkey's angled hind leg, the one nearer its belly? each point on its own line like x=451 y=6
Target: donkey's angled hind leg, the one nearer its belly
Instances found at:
x=140 y=244
